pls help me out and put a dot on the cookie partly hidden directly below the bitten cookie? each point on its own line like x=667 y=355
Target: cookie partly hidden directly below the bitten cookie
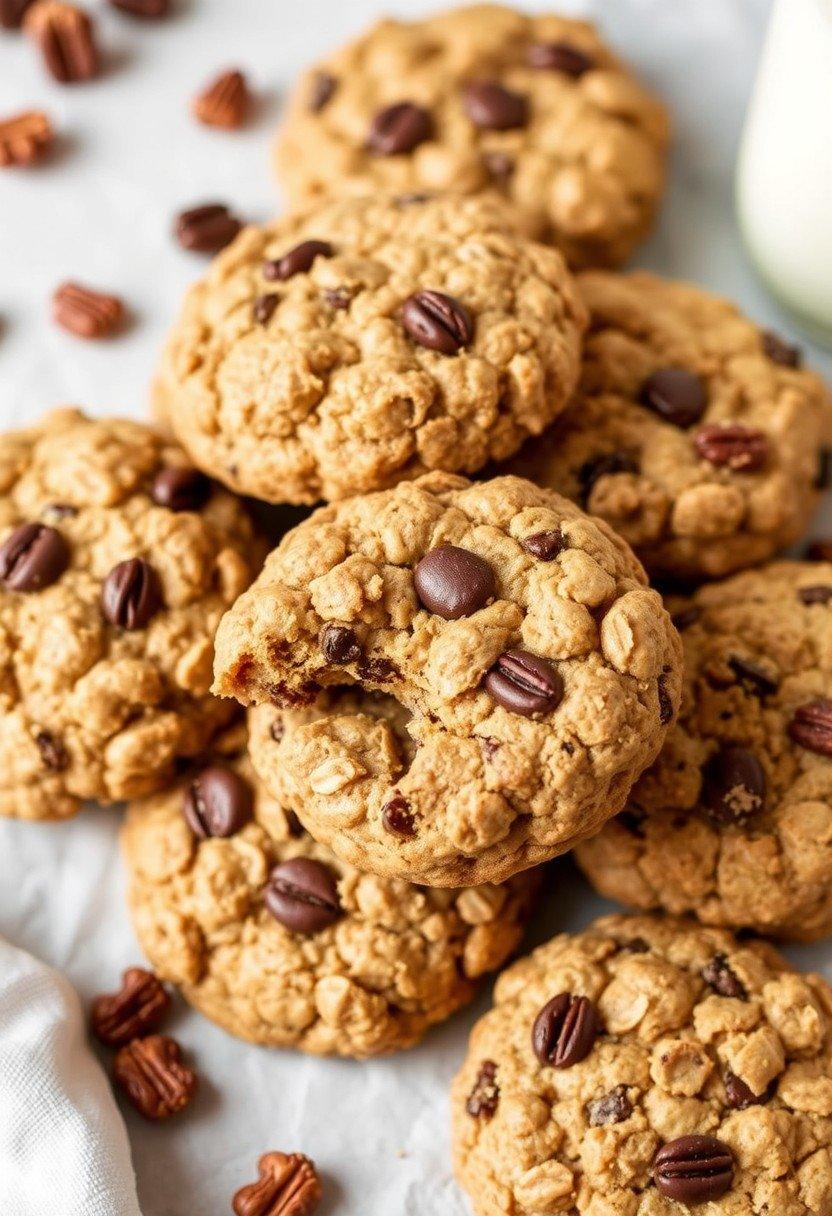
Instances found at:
x=280 y=943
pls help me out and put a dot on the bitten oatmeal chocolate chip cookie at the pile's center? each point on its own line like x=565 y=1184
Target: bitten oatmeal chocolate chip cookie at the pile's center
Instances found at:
x=532 y=677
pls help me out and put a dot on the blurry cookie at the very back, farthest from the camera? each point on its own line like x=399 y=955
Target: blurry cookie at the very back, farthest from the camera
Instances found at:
x=487 y=98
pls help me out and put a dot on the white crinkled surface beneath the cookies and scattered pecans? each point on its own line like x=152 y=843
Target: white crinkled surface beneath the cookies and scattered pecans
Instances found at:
x=131 y=157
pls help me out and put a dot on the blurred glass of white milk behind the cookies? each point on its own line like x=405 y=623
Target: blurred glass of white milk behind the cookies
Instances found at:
x=785 y=168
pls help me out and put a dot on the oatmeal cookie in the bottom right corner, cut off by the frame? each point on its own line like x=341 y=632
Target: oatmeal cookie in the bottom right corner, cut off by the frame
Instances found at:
x=649 y=1067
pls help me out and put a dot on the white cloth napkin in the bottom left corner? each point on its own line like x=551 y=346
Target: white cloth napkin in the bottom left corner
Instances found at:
x=64 y=1147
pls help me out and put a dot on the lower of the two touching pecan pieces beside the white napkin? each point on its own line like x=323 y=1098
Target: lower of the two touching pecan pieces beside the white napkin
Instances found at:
x=153 y=1076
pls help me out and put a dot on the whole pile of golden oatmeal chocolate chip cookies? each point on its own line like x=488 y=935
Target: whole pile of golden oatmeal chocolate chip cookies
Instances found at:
x=449 y=683
